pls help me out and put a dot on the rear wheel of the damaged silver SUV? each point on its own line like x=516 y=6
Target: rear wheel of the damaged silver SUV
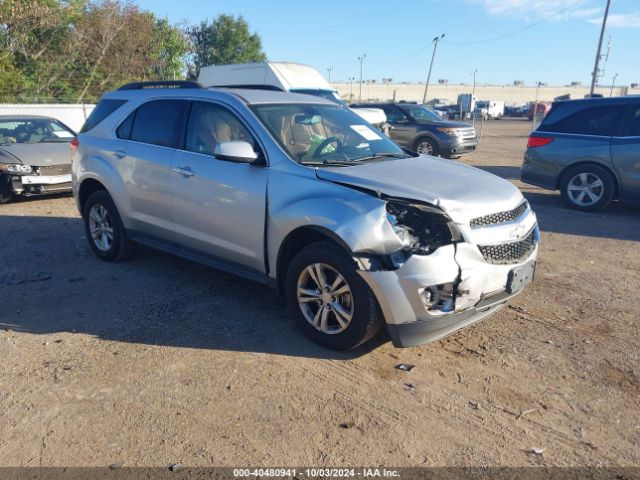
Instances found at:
x=106 y=234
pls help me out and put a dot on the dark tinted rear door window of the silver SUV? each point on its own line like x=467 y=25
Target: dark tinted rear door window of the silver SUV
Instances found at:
x=158 y=122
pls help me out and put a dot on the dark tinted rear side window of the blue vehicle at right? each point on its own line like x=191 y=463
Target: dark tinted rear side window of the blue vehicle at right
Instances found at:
x=597 y=120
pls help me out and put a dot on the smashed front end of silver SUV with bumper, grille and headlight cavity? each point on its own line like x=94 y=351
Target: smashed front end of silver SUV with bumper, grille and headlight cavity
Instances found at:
x=449 y=275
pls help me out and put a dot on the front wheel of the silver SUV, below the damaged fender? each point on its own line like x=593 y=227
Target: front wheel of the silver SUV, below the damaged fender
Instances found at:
x=328 y=300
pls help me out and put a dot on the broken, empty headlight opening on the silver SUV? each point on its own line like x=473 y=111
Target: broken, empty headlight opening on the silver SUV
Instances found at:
x=421 y=228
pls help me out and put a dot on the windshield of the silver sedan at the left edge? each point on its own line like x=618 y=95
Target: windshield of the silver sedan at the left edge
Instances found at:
x=33 y=130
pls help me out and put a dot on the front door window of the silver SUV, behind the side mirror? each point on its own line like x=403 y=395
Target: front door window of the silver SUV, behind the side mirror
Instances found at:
x=211 y=124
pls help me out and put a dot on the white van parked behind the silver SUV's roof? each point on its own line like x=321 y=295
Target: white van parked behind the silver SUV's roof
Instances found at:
x=284 y=76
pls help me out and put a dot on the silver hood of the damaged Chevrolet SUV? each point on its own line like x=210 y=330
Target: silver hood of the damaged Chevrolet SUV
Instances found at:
x=462 y=191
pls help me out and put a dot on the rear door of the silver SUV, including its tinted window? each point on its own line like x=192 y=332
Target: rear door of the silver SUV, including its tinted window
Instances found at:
x=144 y=159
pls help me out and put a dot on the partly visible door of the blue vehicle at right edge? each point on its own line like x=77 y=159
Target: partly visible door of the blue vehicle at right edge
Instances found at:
x=625 y=153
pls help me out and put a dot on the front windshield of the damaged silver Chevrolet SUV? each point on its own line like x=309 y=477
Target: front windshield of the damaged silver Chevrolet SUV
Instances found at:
x=325 y=134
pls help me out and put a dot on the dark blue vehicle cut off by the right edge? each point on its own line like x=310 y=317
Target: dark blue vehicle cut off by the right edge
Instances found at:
x=589 y=149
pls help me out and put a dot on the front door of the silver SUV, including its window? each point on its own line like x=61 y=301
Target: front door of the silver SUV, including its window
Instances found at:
x=219 y=205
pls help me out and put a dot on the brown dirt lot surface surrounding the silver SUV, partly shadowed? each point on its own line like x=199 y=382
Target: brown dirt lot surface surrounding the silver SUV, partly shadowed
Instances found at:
x=159 y=360
